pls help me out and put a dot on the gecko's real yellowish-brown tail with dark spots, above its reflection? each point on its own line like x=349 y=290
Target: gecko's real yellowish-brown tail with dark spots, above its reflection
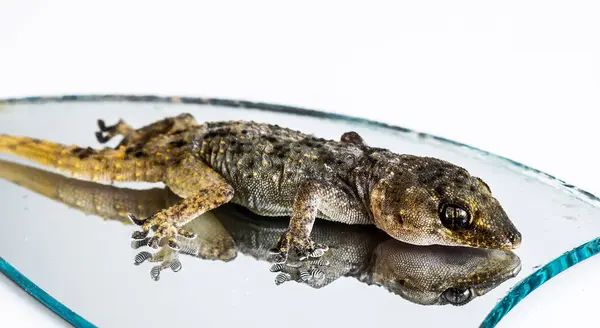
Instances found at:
x=85 y=163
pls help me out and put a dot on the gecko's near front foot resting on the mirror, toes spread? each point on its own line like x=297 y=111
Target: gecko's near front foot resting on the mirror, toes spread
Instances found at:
x=304 y=248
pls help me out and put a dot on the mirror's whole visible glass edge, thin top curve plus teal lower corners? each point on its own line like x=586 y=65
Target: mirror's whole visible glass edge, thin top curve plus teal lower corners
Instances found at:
x=574 y=256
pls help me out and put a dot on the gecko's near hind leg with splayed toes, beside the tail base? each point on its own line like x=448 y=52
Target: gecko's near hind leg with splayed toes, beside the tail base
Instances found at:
x=202 y=189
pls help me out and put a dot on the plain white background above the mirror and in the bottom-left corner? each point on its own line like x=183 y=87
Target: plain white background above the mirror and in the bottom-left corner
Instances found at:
x=520 y=79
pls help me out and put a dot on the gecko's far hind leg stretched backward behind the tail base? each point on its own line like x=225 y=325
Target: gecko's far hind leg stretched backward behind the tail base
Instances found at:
x=133 y=136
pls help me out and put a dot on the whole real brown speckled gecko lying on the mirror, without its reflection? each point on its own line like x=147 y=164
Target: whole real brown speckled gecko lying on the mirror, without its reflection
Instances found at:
x=277 y=171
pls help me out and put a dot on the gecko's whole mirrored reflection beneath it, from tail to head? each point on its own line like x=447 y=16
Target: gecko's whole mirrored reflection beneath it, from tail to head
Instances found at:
x=424 y=275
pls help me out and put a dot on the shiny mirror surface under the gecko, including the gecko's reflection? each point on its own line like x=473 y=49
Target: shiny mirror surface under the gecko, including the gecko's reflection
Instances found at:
x=72 y=238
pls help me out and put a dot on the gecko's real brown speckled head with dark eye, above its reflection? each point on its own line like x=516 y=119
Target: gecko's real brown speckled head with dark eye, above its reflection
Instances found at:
x=429 y=201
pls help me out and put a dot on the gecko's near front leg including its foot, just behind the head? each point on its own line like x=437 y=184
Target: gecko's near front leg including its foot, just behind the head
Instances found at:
x=312 y=196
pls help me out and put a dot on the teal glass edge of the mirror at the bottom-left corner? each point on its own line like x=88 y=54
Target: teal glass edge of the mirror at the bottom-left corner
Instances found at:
x=50 y=302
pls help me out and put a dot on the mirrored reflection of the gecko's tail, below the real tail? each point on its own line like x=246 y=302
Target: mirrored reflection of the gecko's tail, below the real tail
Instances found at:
x=105 y=201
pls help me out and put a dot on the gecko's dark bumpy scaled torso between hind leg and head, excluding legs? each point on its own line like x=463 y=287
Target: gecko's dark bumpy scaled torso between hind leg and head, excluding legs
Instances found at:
x=266 y=163
